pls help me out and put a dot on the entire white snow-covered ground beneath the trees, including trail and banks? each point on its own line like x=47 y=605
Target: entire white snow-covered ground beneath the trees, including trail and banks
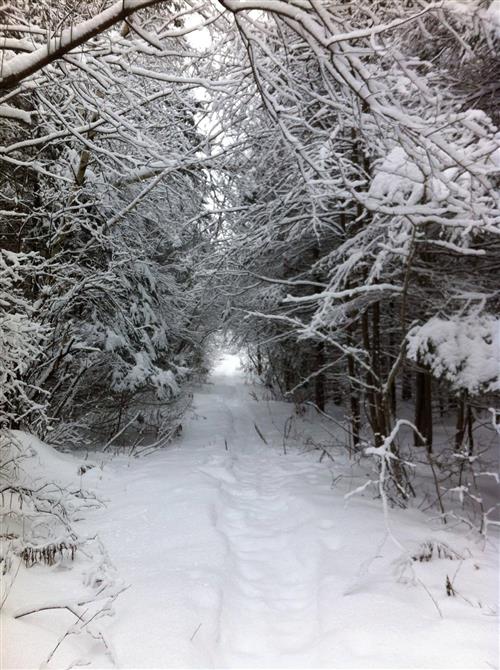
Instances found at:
x=237 y=554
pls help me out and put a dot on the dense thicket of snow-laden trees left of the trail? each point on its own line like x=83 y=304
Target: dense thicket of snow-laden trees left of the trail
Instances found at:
x=111 y=191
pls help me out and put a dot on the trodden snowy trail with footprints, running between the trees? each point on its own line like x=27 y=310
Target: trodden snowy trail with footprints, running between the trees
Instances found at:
x=214 y=558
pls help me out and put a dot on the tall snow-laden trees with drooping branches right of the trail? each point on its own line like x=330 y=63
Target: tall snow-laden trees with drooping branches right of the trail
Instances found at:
x=391 y=151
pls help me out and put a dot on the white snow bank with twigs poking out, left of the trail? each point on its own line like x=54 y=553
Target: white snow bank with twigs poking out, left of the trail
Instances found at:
x=53 y=604
